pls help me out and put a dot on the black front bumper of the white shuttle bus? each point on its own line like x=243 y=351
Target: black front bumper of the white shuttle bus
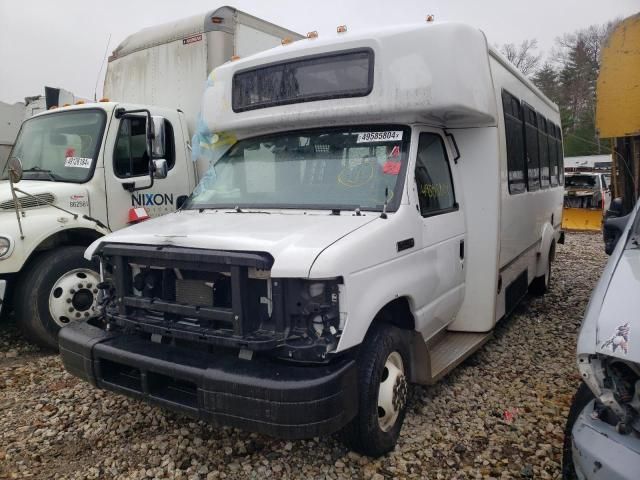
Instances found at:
x=258 y=395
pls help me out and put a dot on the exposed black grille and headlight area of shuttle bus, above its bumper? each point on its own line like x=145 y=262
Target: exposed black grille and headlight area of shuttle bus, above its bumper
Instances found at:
x=215 y=299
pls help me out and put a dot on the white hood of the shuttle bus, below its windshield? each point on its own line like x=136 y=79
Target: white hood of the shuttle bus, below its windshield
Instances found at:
x=294 y=238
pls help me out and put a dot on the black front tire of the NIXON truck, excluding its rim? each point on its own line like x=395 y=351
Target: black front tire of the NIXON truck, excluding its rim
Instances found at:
x=31 y=297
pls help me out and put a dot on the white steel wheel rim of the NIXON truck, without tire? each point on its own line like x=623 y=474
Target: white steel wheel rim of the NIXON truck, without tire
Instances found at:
x=73 y=297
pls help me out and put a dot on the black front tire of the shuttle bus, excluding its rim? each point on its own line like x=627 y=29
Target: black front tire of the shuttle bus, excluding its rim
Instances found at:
x=364 y=433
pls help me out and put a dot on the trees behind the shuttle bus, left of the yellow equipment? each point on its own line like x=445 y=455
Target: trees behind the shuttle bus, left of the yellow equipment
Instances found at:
x=568 y=76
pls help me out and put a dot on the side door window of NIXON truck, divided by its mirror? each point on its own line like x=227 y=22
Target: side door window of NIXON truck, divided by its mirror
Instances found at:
x=130 y=158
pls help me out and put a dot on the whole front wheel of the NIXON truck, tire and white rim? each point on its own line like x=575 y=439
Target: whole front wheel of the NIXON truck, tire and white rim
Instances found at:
x=58 y=287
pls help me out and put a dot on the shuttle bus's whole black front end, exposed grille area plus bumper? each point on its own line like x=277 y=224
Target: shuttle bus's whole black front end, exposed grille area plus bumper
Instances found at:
x=211 y=334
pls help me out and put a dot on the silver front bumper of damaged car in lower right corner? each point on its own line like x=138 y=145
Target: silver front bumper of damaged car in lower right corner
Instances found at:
x=600 y=452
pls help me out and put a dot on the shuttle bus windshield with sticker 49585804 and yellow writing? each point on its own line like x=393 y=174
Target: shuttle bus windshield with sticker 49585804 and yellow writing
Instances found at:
x=337 y=168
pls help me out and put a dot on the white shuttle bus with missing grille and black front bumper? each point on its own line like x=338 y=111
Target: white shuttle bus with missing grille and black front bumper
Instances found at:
x=386 y=198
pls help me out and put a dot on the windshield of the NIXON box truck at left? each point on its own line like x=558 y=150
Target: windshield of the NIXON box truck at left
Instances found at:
x=60 y=146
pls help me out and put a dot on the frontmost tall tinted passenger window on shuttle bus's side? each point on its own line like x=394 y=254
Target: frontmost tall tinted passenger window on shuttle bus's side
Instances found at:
x=514 y=135
